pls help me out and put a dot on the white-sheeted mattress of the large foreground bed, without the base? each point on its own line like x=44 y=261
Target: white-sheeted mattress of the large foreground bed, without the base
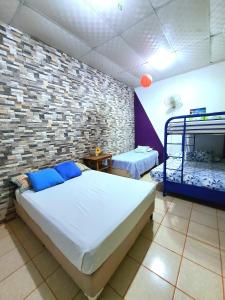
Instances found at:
x=89 y=216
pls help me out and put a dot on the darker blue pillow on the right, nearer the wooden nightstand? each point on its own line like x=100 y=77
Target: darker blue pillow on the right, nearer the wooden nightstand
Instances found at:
x=68 y=170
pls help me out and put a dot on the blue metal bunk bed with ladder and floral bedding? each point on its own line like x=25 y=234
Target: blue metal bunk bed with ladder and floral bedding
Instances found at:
x=191 y=172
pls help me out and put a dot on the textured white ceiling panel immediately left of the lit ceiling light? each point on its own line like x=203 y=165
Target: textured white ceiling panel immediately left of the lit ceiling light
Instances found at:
x=119 y=52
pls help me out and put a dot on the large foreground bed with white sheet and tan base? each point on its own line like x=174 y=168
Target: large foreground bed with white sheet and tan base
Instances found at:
x=88 y=224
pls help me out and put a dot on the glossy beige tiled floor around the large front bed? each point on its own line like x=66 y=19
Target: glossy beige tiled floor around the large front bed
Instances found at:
x=179 y=255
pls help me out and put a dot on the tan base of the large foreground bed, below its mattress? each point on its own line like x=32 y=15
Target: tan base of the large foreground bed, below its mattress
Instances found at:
x=92 y=284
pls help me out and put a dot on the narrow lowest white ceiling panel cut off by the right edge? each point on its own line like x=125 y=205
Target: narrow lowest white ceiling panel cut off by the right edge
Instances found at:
x=218 y=48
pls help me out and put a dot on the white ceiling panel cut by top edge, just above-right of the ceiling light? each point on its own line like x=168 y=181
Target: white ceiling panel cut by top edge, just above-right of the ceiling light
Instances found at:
x=185 y=22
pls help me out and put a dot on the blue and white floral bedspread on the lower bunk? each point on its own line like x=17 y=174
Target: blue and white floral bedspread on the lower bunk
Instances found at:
x=210 y=175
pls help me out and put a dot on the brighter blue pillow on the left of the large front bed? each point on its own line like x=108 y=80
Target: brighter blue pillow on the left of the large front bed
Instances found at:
x=44 y=179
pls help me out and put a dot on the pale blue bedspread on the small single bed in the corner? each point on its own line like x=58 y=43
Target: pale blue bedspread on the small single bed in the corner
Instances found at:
x=135 y=163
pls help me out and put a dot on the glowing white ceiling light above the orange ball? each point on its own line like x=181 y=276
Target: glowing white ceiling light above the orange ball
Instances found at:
x=162 y=59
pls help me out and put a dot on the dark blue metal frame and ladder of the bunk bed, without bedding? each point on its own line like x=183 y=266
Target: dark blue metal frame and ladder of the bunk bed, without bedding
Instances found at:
x=181 y=188
